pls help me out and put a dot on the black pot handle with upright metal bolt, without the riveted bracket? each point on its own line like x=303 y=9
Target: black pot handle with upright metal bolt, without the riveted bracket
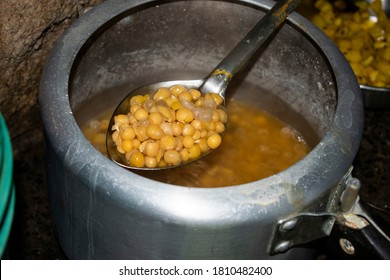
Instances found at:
x=358 y=233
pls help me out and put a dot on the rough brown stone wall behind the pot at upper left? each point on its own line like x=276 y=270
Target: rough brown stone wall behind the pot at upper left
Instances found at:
x=28 y=30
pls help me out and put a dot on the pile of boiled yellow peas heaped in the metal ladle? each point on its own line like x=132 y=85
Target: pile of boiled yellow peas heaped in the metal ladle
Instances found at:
x=169 y=127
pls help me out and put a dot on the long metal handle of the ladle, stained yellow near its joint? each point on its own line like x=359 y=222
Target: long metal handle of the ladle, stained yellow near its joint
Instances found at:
x=218 y=80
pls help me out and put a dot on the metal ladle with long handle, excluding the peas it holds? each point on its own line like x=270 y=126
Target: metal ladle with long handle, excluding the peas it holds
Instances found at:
x=218 y=80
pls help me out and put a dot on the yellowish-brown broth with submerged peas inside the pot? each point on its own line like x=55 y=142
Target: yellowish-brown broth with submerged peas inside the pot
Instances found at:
x=256 y=145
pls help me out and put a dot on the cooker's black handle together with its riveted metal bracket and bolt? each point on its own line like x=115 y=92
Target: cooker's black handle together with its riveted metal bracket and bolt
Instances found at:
x=351 y=231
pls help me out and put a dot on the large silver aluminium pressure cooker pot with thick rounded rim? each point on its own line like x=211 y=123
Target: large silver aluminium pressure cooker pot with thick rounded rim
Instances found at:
x=103 y=211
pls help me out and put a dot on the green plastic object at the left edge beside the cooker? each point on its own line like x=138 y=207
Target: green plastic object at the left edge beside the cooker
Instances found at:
x=7 y=189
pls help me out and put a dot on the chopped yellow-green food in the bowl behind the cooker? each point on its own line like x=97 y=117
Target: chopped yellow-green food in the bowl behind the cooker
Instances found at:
x=364 y=40
